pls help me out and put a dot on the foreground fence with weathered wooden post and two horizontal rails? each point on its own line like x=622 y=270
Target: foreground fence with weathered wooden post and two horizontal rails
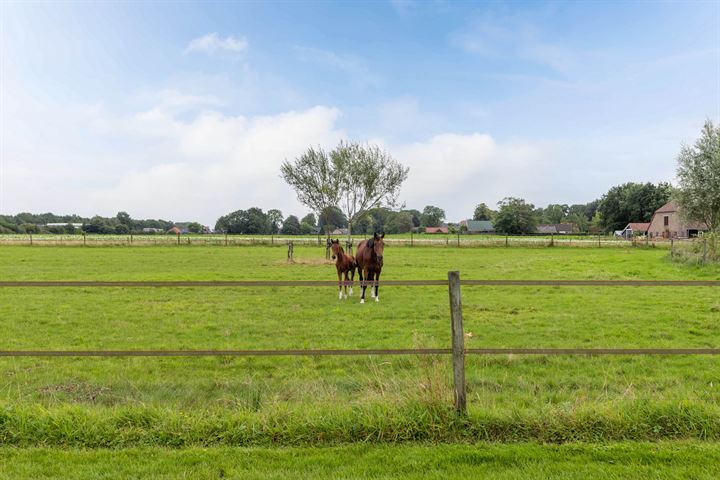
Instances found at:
x=458 y=350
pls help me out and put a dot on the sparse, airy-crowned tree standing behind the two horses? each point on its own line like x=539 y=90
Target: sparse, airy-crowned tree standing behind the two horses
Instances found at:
x=353 y=177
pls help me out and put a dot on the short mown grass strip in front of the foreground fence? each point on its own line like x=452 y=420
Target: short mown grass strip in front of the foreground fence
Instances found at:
x=670 y=460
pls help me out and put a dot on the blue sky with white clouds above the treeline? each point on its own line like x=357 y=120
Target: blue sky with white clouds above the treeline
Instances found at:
x=185 y=111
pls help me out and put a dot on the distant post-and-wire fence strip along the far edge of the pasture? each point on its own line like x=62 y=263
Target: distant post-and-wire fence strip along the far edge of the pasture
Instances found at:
x=405 y=240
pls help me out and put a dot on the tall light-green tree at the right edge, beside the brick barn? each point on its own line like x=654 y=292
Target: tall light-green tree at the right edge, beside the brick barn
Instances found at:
x=698 y=176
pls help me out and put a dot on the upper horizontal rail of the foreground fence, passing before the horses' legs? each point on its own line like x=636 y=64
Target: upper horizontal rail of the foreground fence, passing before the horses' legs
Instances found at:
x=382 y=283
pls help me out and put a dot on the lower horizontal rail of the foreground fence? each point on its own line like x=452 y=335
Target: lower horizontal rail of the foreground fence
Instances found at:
x=358 y=352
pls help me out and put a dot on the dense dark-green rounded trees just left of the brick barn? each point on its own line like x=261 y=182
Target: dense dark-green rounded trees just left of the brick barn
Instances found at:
x=632 y=202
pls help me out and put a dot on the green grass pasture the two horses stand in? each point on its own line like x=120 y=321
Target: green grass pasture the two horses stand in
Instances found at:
x=316 y=400
